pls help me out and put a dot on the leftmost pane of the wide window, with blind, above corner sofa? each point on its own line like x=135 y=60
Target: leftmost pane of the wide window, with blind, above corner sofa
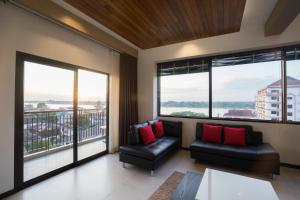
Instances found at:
x=184 y=89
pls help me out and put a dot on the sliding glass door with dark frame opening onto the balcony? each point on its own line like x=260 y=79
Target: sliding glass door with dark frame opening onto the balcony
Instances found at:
x=61 y=117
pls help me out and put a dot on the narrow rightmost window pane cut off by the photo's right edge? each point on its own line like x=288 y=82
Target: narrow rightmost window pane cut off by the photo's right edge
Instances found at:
x=293 y=90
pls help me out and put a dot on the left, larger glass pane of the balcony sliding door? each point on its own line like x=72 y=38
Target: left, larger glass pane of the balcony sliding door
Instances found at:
x=48 y=119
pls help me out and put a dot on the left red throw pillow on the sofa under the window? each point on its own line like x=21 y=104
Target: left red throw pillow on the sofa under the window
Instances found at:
x=212 y=133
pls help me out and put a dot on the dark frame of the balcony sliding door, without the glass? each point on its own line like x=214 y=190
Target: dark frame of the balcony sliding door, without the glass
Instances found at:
x=21 y=57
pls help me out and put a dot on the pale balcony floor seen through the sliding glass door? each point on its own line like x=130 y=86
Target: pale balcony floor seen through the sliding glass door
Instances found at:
x=47 y=163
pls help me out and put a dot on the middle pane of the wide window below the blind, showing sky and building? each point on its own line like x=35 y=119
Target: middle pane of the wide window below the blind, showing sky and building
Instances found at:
x=247 y=91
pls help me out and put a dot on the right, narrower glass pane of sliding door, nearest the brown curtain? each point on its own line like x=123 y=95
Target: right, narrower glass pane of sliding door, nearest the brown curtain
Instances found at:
x=92 y=110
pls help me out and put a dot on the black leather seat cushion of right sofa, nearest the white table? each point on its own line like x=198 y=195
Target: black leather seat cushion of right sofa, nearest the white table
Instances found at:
x=261 y=152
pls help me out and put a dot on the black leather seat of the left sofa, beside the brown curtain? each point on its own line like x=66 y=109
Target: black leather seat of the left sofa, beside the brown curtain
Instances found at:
x=153 y=150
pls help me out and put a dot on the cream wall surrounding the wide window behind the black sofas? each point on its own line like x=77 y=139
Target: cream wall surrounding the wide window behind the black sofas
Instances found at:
x=285 y=138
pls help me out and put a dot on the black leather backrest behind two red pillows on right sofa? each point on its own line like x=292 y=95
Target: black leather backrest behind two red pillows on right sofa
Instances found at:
x=250 y=138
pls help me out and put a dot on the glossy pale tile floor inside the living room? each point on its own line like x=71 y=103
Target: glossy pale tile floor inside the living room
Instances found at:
x=104 y=178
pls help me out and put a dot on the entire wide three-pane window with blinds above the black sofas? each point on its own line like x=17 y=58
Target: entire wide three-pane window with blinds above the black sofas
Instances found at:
x=262 y=86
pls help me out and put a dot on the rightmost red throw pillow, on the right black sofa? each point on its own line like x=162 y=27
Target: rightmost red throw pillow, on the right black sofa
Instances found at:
x=234 y=136
